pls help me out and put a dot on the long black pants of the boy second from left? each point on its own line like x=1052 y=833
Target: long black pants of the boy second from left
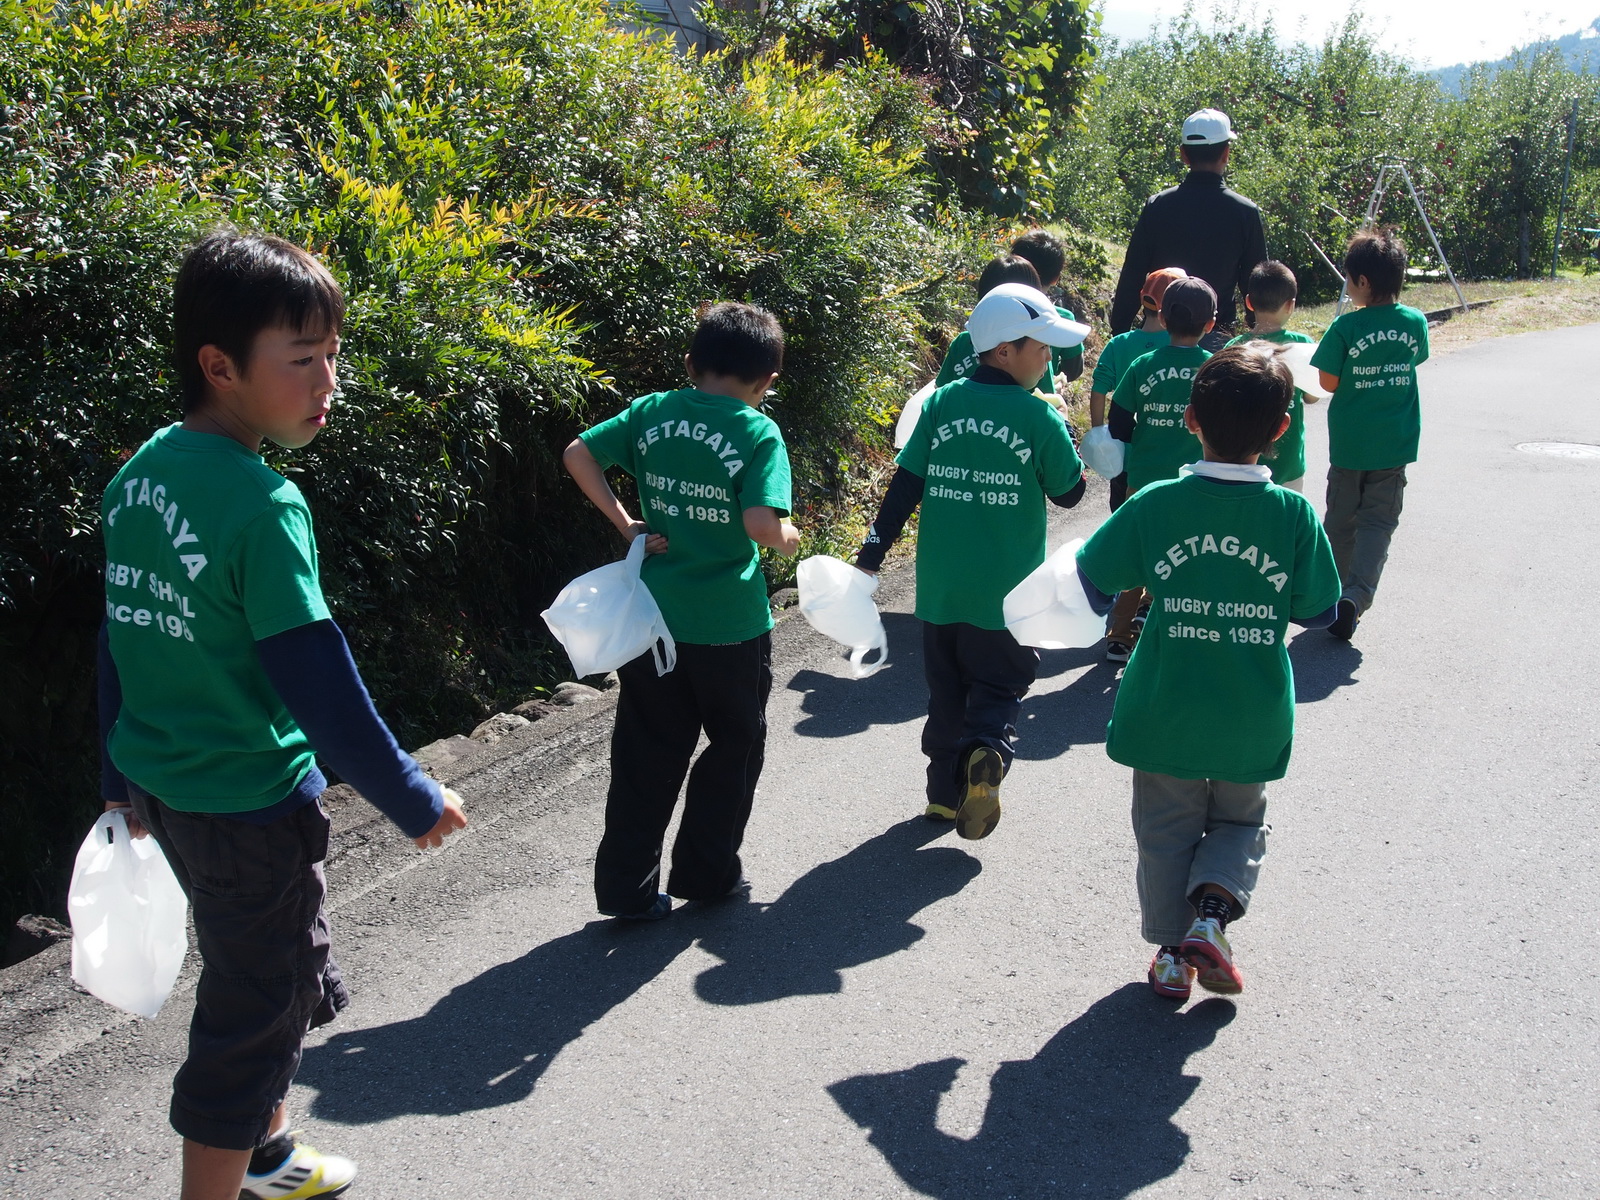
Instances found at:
x=724 y=692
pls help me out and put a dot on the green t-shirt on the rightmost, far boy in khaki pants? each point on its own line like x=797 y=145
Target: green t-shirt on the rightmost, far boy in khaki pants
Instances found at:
x=1375 y=420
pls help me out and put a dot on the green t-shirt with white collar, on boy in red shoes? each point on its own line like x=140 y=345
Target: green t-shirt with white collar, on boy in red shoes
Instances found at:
x=1209 y=694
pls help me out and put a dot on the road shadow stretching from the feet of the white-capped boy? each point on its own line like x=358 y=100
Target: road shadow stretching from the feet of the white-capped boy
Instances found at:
x=841 y=914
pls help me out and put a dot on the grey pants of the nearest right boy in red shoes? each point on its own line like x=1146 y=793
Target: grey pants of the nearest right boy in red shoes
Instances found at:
x=1193 y=833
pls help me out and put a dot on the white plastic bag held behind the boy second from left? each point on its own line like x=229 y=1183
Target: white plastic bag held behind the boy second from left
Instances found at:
x=607 y=618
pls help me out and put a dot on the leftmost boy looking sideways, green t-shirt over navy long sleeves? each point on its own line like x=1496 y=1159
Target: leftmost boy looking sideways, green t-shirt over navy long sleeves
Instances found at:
x=223 y=679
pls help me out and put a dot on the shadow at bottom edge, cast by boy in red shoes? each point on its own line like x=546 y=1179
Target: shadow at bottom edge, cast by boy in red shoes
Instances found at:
x=1089 y=1116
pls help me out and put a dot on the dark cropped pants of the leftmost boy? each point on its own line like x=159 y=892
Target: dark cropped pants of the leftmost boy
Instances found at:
x=266 y=967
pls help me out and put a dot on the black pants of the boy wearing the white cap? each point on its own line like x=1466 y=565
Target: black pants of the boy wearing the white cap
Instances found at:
x=977 y=682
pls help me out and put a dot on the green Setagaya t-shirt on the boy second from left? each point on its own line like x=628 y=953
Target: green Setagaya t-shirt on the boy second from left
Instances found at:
x=702 y=462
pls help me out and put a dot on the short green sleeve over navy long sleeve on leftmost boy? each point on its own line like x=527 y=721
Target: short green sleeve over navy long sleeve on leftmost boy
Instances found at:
x=274 y=572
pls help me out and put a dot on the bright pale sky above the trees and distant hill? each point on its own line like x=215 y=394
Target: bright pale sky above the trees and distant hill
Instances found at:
x=1428 y=33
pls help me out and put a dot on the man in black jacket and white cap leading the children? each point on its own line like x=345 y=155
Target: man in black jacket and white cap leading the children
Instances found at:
x=1202 y=226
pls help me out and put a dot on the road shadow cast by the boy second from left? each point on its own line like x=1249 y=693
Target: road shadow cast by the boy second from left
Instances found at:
x=489 y=1041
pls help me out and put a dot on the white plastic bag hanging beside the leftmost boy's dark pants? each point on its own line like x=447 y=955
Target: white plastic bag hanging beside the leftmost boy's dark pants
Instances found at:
x=127 y=918
